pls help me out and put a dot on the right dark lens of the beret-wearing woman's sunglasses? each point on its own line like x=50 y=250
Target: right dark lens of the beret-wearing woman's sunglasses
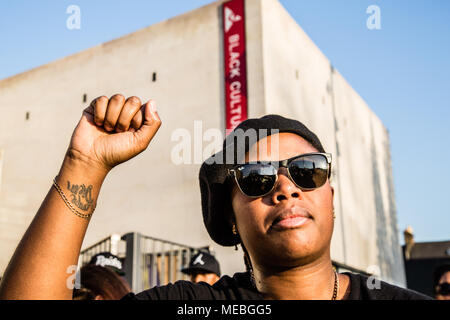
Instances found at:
x=309 y=172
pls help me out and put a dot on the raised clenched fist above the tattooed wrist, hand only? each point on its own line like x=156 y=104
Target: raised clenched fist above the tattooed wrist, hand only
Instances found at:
x=112 y=131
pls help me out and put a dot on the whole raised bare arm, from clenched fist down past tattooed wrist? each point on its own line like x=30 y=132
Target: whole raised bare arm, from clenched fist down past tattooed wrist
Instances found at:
x=110 y=132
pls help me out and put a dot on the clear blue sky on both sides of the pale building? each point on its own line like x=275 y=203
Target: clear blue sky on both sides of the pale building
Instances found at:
x=402 y=71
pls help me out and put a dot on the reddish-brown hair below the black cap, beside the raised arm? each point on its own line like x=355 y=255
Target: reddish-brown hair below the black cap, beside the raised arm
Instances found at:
x=100 y=283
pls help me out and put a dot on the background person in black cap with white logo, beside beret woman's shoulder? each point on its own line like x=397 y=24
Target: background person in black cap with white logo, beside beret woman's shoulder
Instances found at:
x=203 y=267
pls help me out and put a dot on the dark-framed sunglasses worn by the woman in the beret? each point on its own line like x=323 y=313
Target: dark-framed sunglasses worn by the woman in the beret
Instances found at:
x=308 y=171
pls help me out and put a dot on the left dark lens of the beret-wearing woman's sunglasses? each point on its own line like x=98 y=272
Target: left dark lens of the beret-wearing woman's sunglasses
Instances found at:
x=256 y=180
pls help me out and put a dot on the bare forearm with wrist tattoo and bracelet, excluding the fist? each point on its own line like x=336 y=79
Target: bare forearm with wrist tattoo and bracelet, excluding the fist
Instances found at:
x=52 y=243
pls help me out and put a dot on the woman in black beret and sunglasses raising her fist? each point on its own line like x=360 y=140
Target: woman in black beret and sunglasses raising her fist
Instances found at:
x=268 y=190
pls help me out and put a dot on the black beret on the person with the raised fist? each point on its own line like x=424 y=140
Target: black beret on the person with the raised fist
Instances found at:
x=213 y=176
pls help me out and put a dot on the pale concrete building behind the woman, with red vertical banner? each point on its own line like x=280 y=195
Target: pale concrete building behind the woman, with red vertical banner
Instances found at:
x=180 y=64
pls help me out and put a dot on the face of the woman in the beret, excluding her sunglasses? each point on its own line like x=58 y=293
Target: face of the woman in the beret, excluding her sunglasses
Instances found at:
x=273 y=228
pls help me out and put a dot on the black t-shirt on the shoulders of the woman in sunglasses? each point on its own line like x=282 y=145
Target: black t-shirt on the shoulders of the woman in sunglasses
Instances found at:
x=239 y=287
